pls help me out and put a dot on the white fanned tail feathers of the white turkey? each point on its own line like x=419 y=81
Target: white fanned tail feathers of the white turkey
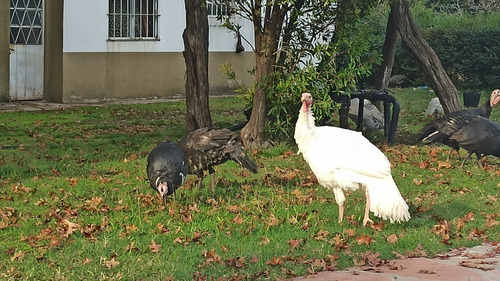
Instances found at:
x=386 y=201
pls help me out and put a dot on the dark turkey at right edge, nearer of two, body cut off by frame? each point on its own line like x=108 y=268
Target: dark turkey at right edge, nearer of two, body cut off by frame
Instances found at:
x=474 y=133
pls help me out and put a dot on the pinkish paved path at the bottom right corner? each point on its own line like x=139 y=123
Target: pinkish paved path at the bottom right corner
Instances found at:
x=481 y=263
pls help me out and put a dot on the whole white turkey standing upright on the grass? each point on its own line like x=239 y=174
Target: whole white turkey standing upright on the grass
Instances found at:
x=344 y=160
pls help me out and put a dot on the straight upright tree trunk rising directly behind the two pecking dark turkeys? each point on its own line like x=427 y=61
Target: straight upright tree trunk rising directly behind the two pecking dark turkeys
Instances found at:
x=196 y=57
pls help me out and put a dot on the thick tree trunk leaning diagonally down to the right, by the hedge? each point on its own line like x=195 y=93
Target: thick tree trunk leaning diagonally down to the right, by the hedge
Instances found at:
x=418 y=48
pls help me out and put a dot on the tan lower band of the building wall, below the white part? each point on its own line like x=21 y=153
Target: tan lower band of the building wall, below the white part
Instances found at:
x=93 y=77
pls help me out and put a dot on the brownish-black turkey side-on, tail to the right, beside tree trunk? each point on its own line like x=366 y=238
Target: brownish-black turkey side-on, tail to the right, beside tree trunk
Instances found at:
x=207 y=147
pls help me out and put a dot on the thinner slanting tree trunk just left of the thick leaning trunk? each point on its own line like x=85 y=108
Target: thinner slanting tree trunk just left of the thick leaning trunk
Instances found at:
x=388 y=52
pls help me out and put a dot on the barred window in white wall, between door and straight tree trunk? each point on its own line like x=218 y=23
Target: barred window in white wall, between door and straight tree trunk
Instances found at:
x=133 y=19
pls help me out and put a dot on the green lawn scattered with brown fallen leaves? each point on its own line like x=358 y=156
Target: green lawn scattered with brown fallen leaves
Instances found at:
x=86 y=166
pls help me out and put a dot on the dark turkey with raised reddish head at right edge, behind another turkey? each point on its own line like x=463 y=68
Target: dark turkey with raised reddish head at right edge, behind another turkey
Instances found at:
x=484 y=111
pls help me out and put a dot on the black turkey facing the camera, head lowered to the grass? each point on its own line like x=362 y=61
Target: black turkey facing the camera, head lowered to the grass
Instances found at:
x=166 y=168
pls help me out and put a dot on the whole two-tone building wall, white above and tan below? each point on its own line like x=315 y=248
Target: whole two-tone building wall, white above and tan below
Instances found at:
x=96 y=68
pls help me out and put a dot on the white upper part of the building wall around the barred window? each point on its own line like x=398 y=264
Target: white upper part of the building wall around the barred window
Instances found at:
x=86 y=30
